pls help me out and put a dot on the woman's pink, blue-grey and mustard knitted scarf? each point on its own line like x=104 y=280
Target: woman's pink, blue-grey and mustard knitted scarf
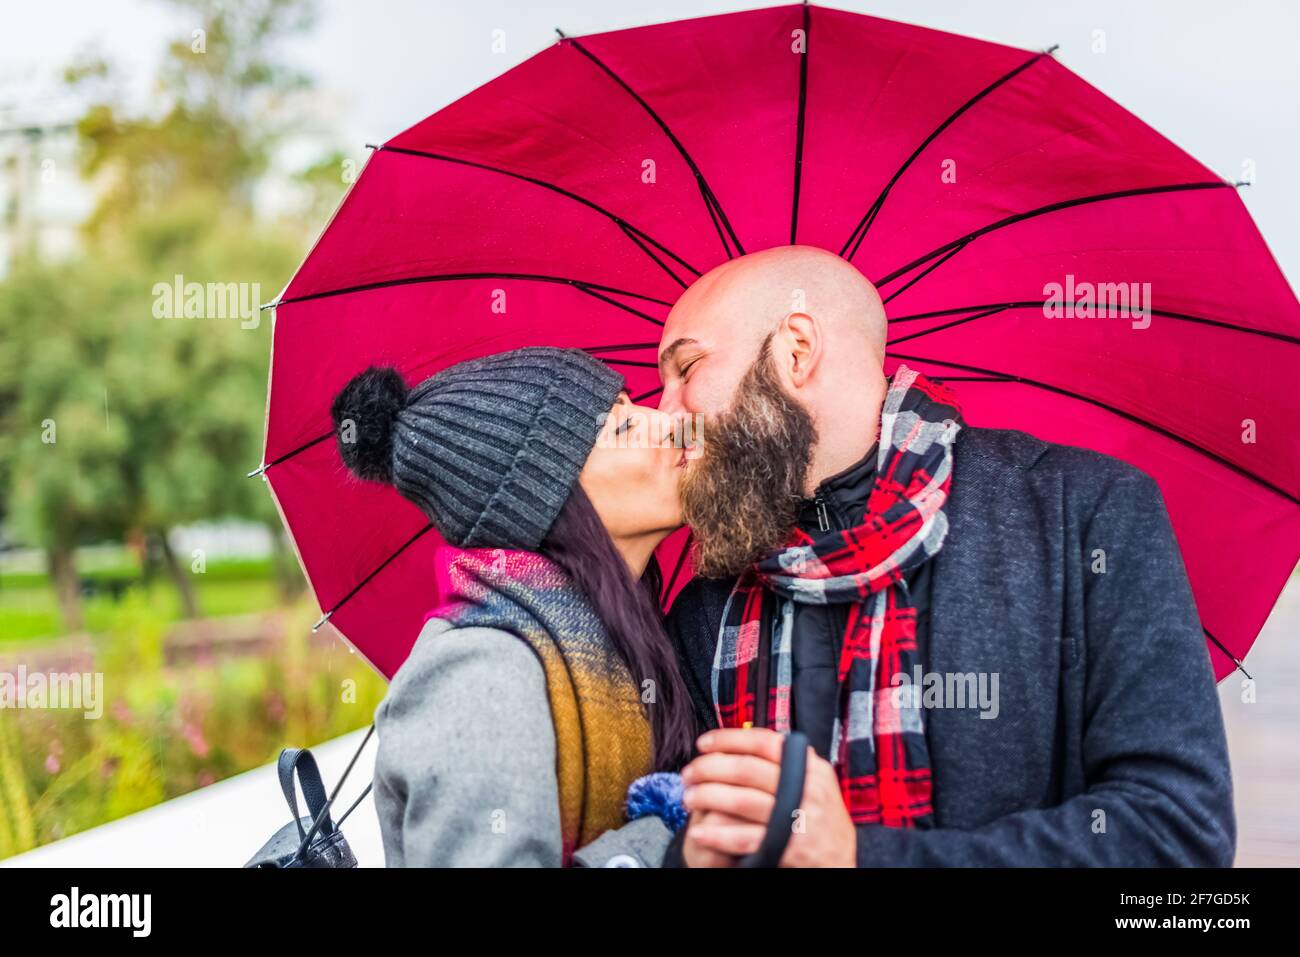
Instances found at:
x=603 y=738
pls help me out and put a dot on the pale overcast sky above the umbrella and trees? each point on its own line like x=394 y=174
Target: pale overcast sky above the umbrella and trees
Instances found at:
x=1223 y=80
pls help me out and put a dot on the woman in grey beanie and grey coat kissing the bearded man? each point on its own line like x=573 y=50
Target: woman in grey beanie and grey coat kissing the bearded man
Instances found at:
x=543 y=685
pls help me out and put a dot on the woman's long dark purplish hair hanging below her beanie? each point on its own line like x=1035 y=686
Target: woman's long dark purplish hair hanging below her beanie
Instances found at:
x=630 y=612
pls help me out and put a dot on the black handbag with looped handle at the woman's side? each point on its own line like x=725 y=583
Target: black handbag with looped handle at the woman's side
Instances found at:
x=314 y=841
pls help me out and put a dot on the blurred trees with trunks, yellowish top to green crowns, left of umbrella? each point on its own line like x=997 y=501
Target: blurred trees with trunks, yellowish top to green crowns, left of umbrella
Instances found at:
x=131 y=414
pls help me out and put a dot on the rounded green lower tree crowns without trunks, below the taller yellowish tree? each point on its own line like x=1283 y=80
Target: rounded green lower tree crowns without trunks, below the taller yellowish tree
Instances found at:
x=124 y=421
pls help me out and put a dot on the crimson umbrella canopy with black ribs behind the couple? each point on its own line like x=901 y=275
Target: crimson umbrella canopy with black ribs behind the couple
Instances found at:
x=1071 y=271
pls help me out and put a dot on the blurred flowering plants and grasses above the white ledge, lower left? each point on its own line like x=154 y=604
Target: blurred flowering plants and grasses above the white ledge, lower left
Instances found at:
x=167 y=731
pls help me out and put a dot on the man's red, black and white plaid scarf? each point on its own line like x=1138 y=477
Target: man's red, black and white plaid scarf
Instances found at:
x=879 y=742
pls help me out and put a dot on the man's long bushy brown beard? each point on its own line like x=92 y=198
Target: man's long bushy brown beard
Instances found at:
x=742 y=497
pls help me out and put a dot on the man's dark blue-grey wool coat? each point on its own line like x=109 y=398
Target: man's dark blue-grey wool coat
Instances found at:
x=1108 y=747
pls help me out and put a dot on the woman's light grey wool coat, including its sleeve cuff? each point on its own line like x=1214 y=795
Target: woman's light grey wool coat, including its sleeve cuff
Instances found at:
x=465 y=773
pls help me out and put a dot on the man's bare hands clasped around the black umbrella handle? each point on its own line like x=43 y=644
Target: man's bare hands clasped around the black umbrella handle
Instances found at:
x=731 y=791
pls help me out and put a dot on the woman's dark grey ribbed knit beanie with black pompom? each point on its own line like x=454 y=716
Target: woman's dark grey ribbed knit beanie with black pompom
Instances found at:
x=489 y=449
